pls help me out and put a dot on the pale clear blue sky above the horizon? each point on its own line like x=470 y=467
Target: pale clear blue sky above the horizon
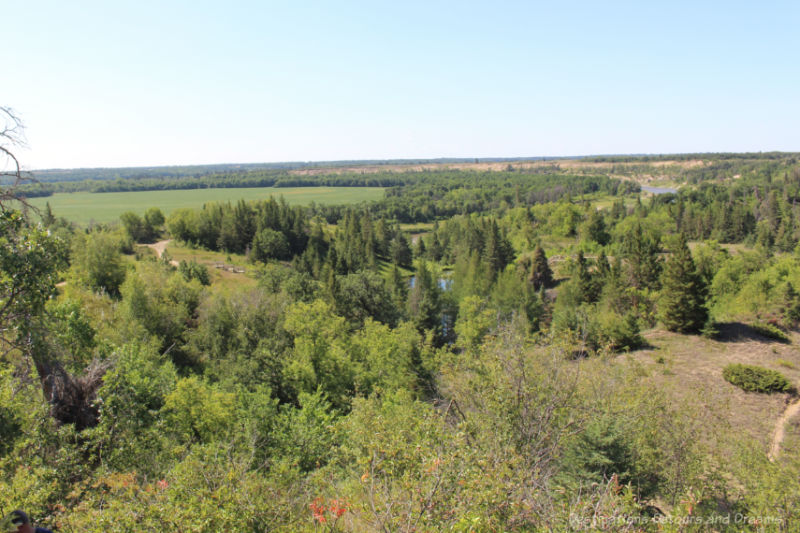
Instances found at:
x=118 y=83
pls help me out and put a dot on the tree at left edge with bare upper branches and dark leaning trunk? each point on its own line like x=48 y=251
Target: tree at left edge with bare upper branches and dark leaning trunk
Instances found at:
x=29 y=264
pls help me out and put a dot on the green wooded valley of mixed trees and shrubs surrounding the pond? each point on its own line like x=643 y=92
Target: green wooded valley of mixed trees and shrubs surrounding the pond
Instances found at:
x=541 y=348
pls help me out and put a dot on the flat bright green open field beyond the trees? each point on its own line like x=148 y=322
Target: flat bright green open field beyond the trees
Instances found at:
x=84 y=207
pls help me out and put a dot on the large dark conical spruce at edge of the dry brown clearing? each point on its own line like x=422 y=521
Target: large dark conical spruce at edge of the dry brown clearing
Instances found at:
x=682 y=303
